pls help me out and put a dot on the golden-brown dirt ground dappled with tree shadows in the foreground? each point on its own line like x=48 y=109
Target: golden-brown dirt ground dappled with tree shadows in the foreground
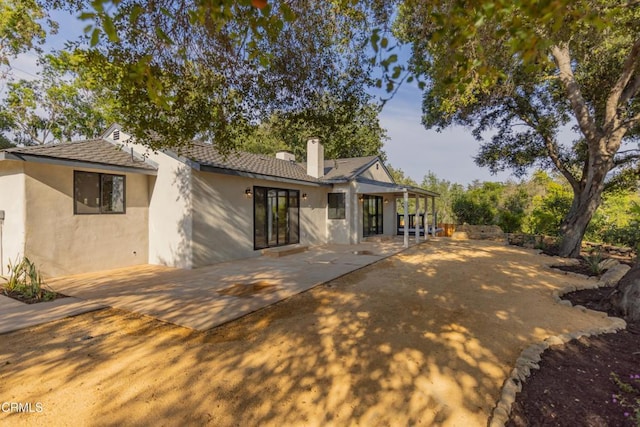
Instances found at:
x=426 y=337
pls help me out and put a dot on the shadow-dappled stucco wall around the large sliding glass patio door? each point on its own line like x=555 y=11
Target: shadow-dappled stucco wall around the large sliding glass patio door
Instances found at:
x=223 y=216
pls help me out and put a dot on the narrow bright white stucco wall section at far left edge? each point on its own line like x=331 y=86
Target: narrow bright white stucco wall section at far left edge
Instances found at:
x=12 y=202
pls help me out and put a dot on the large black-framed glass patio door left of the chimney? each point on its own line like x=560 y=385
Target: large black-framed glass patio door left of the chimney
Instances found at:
x=275 y=217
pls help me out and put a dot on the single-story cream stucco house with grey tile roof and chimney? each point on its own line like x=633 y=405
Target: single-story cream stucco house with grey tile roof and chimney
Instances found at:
x=109 y=202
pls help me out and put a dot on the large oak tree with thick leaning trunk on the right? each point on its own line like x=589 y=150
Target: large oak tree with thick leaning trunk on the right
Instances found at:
x=526 y=70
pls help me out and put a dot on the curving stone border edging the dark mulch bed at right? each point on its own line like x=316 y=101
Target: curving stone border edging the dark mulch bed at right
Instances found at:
x=531 y=356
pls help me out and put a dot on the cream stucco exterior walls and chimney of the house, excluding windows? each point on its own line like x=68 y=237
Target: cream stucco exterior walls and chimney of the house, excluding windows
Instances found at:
x=184 y=215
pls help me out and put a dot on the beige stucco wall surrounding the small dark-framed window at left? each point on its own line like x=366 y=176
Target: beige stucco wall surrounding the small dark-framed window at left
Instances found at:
x=60 y=242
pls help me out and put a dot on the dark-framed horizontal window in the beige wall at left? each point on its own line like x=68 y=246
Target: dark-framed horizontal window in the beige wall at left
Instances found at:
x=98 y=193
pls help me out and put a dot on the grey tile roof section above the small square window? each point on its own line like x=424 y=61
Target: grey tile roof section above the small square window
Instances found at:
x=96 y=151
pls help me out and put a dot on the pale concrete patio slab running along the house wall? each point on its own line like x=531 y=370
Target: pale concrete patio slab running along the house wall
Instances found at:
x=200 y=299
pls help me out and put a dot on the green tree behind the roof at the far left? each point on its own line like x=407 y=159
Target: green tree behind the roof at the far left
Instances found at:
x=59 y=106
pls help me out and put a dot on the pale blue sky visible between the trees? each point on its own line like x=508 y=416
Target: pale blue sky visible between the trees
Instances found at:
x=410 y=147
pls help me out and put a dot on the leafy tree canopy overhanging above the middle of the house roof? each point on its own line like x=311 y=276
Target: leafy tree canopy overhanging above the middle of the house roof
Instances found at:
x=215 y=70
